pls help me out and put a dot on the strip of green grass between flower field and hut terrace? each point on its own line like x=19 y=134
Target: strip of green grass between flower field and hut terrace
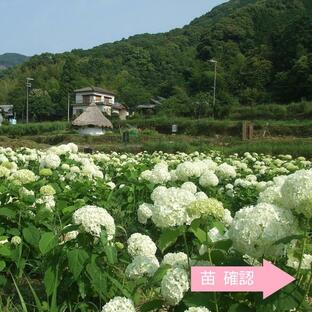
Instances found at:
x=169 y=143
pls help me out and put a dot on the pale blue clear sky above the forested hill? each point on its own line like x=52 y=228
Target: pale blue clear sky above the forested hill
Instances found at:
x=36 y=26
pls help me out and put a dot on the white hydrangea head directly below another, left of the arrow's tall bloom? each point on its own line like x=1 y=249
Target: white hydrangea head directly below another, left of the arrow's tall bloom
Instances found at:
x=141 y=266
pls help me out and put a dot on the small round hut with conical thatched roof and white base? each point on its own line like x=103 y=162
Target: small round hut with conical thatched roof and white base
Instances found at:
x=92 y=121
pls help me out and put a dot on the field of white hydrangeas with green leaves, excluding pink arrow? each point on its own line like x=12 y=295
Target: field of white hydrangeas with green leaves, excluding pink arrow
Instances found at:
x=119 y=232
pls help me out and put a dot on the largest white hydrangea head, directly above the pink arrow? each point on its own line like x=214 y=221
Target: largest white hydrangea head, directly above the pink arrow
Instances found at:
x=255 y=229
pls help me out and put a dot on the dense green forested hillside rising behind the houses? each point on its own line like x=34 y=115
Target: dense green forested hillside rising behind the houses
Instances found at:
x=263 y=49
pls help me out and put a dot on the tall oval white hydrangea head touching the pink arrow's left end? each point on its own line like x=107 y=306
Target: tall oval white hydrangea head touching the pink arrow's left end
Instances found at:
x=174 y=285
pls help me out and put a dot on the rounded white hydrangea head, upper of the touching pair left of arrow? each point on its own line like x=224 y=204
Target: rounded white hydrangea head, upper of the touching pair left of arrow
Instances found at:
x=141 y=245
